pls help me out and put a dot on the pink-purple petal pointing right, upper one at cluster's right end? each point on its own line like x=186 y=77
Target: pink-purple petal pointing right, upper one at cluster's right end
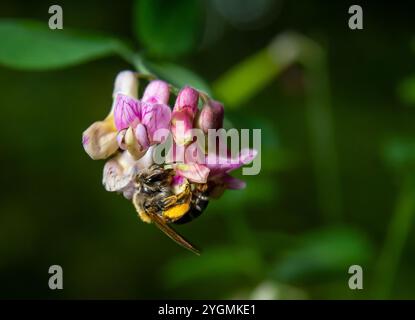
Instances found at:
x=219 y=164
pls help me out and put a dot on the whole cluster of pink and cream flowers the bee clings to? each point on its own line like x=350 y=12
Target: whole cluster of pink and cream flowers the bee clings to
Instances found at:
x=137 y=126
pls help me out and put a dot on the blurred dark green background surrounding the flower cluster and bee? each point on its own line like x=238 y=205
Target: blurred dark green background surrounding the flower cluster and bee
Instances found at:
x=338 y=152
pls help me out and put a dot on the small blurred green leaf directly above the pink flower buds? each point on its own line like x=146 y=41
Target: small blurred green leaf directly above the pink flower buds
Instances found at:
x=179 y=76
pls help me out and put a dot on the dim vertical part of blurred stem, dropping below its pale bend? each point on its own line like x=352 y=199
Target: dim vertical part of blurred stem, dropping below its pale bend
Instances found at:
x=321 y=134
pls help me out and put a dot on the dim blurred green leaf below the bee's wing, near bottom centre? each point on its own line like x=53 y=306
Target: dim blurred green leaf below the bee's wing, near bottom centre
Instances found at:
x=213 y=263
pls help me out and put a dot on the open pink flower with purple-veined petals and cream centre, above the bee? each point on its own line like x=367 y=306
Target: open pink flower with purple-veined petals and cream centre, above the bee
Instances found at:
x=142 y=119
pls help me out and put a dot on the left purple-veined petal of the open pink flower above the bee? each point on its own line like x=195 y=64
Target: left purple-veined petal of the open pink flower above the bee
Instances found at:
x=126 y=111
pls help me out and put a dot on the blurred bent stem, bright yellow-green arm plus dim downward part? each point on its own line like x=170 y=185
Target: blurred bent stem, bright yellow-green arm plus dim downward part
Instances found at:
x=239 y=85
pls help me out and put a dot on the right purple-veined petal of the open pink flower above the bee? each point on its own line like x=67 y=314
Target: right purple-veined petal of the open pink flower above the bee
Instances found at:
x=155 y=117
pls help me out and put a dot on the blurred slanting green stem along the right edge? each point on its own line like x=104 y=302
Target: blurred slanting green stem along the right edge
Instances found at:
x=397 y=234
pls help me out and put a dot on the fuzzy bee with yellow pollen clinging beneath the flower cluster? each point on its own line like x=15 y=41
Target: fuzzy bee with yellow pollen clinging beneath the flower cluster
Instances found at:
x=157 y=200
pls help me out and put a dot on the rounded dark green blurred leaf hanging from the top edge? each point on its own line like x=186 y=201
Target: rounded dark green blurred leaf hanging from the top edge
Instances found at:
x=167 y=28
